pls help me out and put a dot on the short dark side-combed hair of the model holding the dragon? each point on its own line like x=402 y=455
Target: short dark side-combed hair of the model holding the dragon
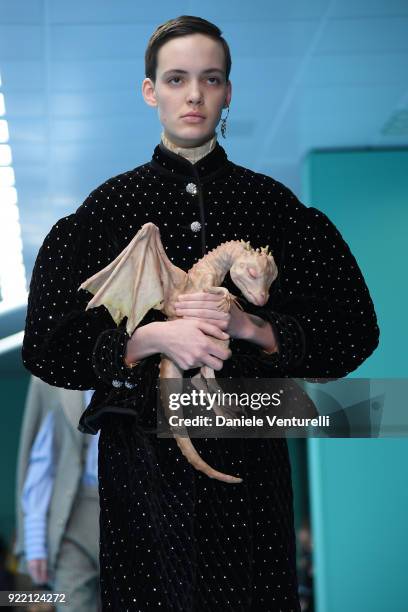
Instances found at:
x=182 y=26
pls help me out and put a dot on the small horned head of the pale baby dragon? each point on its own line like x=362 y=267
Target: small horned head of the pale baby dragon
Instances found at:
x=253 y=272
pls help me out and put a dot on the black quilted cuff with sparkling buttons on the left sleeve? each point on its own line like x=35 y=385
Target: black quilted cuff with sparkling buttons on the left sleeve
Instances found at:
x=108 y=360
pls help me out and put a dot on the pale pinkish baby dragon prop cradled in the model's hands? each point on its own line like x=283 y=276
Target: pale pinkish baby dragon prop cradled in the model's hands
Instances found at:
x=143 y=277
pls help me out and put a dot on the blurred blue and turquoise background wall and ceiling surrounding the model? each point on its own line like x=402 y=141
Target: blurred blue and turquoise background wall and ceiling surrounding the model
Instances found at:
x=320 y=102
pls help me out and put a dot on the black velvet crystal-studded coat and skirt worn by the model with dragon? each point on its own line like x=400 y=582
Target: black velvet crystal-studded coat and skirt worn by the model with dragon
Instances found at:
x=171 y=538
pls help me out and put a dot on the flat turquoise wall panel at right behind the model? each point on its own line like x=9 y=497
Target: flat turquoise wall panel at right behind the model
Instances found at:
x=359 y=488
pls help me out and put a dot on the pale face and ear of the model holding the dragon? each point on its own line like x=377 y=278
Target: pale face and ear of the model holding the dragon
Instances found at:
x=190 y=78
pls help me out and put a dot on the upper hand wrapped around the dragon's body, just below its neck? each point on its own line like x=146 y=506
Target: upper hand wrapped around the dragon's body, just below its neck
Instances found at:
x=203 y=305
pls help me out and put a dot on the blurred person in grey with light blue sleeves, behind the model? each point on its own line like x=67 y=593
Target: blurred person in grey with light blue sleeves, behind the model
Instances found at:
x=57 y=540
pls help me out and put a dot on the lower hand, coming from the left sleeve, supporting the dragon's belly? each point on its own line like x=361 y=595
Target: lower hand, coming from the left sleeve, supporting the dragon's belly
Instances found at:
x=191 y=343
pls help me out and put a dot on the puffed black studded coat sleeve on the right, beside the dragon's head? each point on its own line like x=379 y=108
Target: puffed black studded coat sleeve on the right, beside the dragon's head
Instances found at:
x=321 y=310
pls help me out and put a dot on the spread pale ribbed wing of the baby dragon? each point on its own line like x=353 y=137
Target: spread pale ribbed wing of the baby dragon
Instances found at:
x=140 y=278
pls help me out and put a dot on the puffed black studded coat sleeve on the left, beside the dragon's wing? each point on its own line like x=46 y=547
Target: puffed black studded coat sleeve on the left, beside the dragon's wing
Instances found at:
x=60 y=343
